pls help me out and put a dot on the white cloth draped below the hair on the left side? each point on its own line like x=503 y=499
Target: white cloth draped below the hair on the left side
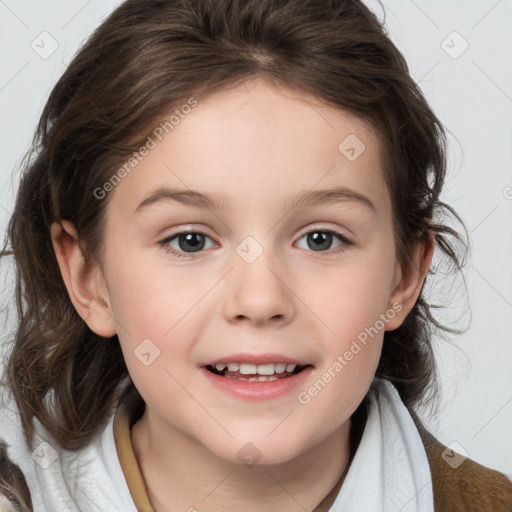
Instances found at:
x=85 y=480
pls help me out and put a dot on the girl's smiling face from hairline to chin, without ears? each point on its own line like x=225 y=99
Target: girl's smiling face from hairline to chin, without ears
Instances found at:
x=272 y=268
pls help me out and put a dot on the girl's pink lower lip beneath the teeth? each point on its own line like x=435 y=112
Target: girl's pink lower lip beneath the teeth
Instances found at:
x=255 y=390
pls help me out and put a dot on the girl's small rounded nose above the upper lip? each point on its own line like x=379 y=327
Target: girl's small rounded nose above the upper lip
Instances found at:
x=259 y=292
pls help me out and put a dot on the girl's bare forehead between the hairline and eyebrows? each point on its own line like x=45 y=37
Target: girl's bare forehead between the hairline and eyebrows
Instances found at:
x=257 y=144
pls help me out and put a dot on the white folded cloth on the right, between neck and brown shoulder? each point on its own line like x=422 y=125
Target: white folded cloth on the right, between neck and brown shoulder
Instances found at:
x=390 y=470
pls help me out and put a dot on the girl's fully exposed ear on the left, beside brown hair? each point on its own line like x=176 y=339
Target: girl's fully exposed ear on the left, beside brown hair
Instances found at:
x=85 y=283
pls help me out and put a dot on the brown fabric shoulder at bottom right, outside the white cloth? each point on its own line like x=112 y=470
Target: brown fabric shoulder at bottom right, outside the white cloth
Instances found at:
x=468 y=487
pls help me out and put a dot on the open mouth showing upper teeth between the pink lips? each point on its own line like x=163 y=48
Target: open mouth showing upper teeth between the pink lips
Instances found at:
x=256 y=373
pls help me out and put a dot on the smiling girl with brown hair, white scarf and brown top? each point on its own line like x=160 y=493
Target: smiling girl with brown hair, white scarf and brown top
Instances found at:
x=222 y=241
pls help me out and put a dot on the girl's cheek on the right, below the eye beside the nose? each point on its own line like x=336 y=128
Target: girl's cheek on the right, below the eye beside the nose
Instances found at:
x=352 y=312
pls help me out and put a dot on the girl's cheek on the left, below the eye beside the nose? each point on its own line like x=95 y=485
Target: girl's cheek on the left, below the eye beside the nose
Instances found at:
x=160 y=315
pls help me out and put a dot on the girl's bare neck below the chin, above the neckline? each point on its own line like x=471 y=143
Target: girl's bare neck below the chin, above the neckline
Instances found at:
x=181 y=474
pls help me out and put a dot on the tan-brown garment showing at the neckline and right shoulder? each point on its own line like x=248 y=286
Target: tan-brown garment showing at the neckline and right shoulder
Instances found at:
x=469 y=488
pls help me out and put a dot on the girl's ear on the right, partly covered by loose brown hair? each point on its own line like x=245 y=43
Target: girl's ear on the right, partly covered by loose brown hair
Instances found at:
x=408 y=282
